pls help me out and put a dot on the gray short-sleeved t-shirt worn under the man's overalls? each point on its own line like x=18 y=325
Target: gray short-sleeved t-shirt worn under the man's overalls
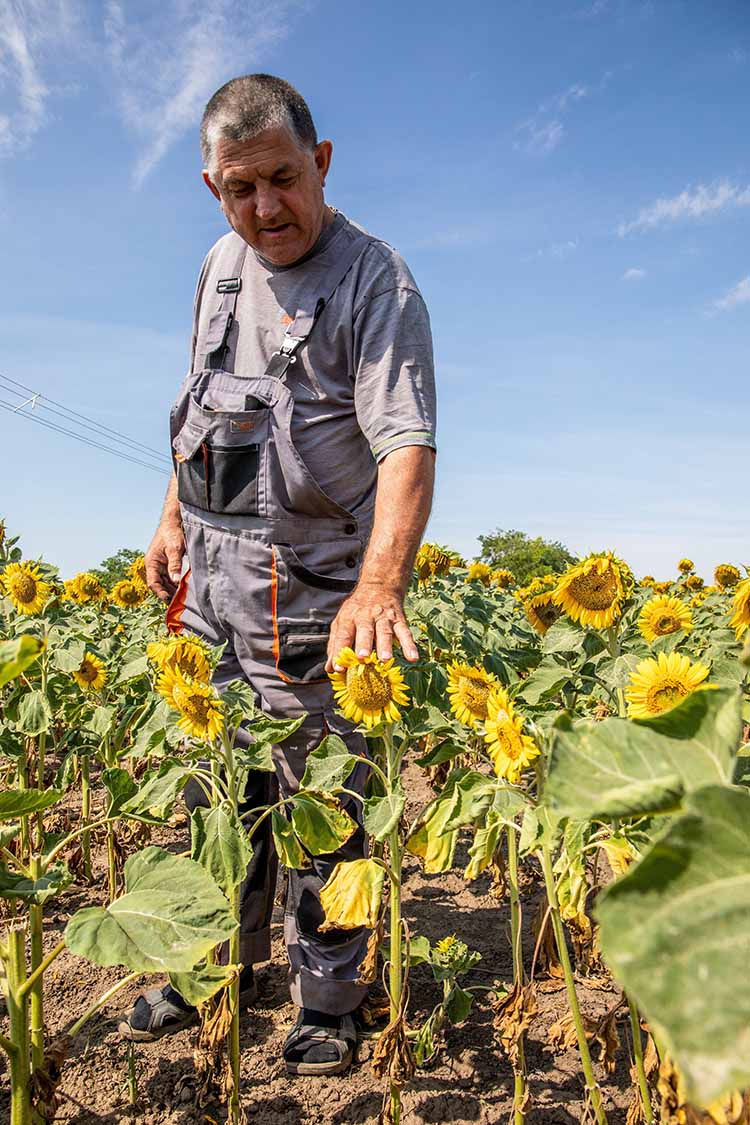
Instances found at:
x=364 y=385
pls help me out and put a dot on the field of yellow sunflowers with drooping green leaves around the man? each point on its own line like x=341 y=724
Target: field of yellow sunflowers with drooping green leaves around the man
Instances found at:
x=579 y=744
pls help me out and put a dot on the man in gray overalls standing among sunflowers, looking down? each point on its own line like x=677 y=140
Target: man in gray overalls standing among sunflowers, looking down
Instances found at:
x=304 y=448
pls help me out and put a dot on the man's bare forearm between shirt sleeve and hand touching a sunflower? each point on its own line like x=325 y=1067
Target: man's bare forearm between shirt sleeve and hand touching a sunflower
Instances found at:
x=405 y=489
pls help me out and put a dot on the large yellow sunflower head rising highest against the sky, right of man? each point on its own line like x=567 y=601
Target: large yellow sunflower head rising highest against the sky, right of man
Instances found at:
x=594 y=592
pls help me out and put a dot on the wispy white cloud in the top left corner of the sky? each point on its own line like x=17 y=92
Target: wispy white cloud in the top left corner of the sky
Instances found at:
x=32 y=34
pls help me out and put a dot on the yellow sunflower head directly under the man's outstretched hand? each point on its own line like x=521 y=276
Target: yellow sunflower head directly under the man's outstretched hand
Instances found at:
x=368 y=690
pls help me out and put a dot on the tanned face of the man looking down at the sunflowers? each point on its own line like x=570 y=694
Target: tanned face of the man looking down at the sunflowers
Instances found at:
x=272 y=193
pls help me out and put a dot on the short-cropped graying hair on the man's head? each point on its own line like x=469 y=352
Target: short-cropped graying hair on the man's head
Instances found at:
x=247 y=106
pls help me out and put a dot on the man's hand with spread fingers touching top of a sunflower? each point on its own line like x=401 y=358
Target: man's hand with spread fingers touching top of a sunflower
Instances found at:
x=369 y=620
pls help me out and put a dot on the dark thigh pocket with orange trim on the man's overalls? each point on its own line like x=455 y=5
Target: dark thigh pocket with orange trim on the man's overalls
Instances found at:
x=305 y=602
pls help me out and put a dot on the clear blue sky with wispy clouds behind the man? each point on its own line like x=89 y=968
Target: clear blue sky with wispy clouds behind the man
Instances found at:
x=570 y=182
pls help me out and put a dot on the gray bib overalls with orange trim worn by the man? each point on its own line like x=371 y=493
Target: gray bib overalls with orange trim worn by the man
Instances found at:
x=272 y=560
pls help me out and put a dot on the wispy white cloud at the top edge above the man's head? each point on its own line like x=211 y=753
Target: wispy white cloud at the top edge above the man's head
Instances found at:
x=169 y=59
